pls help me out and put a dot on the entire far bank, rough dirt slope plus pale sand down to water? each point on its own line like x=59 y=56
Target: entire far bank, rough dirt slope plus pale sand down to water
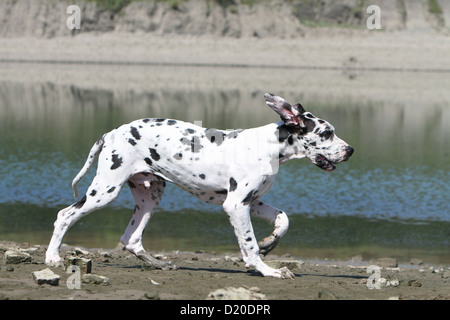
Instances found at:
x=330 y=35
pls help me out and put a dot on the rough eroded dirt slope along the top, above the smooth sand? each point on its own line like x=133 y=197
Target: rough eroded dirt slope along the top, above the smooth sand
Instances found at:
x=236 y=19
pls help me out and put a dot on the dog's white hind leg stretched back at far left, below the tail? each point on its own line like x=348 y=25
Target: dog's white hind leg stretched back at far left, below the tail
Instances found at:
x=99 y=194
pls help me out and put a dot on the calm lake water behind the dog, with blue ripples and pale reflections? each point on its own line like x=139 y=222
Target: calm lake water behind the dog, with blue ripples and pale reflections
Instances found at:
x=390 y=199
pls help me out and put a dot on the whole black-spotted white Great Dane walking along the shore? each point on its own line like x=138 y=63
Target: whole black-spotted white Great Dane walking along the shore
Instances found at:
x=233 y=168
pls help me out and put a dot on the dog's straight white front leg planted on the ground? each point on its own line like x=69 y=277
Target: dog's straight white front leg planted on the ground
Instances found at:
x=239 y=215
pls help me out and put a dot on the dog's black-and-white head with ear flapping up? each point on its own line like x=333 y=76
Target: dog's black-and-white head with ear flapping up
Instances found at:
x=307 y=134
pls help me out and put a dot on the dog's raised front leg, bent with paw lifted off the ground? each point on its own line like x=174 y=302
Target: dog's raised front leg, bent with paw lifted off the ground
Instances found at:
x=274 y=216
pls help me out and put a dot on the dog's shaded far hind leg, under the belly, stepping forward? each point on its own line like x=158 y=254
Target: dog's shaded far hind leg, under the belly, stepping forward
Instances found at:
x=147 y=192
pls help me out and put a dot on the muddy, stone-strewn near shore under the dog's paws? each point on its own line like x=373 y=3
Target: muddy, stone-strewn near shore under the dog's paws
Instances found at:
x=200 y=273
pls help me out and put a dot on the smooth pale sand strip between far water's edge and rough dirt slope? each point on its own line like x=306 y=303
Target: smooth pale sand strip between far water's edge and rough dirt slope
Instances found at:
x=320 y=48
